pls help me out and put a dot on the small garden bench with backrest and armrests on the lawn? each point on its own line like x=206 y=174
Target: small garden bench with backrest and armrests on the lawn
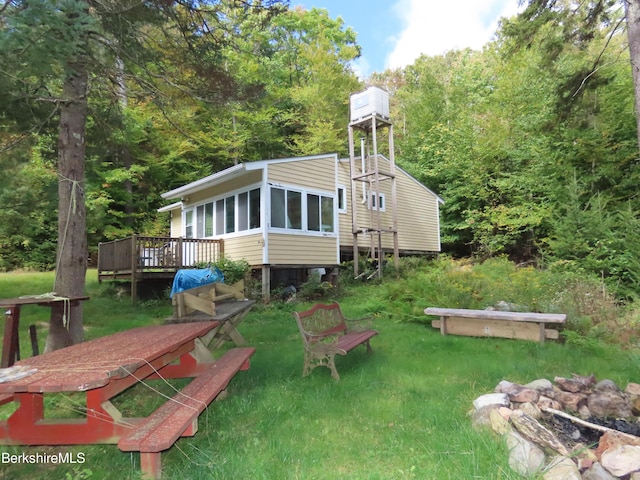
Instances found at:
x=327 y=333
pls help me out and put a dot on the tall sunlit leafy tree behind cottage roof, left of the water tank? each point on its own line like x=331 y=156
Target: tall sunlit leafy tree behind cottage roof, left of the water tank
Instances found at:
x=303 y=61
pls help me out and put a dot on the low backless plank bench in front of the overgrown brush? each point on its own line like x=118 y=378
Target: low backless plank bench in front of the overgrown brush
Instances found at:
x=493 y=323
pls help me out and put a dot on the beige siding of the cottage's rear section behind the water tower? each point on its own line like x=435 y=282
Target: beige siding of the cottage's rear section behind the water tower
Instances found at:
x=417 y=212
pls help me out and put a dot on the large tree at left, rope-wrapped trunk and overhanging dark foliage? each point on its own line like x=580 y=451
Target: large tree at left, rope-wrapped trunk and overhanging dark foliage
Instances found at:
x=51 y=51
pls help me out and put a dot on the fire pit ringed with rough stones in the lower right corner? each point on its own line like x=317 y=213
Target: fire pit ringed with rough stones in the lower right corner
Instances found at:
x=571 y=428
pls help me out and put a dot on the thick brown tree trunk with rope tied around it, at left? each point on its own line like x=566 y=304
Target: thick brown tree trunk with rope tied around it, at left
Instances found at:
x=65 y=326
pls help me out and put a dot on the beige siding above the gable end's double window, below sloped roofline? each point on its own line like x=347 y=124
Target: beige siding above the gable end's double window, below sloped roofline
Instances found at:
x=316 y=174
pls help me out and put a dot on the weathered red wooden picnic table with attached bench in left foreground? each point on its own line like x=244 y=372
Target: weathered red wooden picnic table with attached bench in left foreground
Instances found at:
x=105 y=367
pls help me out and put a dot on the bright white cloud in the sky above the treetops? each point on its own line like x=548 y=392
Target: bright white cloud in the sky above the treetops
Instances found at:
x=434 y=27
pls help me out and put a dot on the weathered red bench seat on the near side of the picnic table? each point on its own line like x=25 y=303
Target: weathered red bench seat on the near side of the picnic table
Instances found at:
x=179 y=415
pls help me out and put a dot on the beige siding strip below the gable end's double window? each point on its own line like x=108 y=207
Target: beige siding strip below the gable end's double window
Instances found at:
x=302 y=250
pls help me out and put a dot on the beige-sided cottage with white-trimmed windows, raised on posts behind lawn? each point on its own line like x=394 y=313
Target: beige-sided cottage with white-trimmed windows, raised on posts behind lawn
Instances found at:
x=287 y=216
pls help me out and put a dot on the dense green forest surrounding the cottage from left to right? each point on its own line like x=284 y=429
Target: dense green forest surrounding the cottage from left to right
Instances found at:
x=531 y=142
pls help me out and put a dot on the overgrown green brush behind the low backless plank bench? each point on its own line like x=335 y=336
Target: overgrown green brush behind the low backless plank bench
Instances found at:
x=592 y=310
